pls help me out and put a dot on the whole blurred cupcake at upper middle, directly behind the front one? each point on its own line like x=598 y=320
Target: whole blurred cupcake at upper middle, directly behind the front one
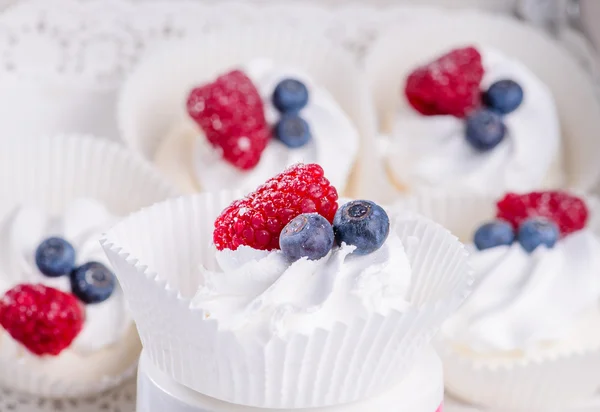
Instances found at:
x=239 y=107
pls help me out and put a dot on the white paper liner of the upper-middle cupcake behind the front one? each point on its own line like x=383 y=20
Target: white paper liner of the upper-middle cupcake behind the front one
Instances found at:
x=153 y=97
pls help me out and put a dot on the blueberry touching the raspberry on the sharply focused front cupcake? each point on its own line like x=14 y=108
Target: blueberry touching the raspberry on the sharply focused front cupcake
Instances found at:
x=307 y=235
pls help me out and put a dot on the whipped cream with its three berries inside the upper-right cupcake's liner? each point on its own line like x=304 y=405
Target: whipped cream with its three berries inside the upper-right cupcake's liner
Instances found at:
x=475 y=121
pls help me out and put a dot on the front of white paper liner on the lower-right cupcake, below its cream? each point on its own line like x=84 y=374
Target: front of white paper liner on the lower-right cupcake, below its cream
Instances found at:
x=552 y=384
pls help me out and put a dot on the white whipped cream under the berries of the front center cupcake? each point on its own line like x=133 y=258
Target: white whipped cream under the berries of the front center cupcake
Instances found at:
x=261 y=291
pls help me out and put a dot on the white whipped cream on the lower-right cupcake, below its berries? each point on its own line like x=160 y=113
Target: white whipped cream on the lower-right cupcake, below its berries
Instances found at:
x=527 y=301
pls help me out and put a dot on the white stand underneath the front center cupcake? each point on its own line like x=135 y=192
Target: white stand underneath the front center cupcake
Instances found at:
x=157 y=392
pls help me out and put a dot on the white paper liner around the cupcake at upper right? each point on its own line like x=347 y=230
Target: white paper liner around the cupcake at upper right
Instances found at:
x=577 y=104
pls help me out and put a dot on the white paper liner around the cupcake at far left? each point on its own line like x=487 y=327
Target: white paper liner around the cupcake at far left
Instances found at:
x=51 y=172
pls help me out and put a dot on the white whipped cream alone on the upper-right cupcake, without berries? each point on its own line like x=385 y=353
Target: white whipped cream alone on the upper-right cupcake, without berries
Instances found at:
x=432 y=151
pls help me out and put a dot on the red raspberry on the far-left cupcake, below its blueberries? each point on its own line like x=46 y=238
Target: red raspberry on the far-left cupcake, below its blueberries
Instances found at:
x=43 y=319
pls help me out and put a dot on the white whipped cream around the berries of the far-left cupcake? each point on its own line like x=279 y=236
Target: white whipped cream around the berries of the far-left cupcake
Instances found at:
x=82 y=223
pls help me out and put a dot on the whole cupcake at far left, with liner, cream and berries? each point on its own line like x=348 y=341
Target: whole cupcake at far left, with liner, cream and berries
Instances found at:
x=76 y=336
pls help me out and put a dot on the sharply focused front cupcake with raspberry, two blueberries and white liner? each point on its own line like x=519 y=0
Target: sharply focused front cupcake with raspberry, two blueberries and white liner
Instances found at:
x=243 y=290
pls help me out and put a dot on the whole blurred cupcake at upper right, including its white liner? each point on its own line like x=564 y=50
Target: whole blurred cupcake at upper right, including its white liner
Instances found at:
x=467 y=109
